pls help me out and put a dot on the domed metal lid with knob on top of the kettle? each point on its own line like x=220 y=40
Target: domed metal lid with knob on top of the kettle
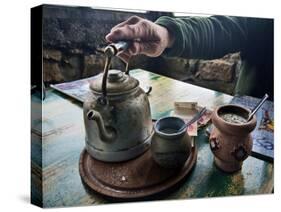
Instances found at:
x=117 y=83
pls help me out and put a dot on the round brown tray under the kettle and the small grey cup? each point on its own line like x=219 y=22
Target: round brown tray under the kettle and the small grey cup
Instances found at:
x=137 y=178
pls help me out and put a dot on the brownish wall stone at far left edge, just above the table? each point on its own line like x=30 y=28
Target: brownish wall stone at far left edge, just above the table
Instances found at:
x=51 y=72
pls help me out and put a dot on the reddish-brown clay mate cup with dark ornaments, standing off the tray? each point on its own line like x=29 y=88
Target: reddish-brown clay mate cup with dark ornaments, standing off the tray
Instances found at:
x=230 y=139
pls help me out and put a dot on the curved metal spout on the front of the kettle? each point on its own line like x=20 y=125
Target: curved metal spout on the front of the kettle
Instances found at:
x=106 y=135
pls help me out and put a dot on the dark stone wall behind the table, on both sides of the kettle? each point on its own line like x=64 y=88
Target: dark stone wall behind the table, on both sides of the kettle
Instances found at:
x=73 y=37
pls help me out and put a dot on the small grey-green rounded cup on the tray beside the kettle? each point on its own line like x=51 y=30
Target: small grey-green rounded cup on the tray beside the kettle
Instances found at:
x=170 y=145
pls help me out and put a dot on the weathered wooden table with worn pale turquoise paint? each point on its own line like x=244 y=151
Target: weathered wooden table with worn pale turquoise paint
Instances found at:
x=60 y=139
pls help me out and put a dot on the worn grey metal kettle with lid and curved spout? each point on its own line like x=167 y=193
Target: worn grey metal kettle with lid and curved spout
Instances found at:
x=117 y=118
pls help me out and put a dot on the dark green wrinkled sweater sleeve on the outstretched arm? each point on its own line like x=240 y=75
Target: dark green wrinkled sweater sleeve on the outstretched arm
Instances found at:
x=205 y=38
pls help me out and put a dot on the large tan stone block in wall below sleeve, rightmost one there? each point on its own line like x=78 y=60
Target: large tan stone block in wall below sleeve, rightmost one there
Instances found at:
x=216 y=70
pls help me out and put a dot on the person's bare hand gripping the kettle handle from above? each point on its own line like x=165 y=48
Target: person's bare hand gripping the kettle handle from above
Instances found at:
x=146 y=37
